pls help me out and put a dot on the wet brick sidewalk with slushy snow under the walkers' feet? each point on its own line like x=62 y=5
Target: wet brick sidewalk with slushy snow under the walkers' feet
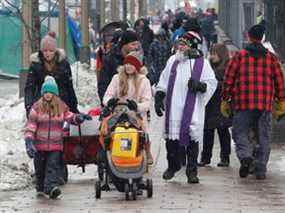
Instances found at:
x=220 y=190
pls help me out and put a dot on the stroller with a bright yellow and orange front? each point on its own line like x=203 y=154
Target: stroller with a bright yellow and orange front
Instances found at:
x=123 y=147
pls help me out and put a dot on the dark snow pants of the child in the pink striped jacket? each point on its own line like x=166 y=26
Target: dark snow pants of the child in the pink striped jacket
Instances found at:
x=47 y=165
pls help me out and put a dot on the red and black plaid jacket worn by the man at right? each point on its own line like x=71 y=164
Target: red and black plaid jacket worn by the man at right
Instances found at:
x=252 y=83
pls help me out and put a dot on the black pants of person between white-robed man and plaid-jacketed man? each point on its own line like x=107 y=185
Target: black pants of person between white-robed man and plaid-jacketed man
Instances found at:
x=208 y=143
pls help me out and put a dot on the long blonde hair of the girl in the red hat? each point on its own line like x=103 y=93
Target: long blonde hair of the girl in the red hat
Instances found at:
x=123 y=80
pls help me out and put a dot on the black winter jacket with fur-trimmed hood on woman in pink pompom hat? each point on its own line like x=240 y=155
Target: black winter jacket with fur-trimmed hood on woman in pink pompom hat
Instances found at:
x=62 y=75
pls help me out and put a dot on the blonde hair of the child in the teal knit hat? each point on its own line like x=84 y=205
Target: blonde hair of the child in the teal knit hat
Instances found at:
x=55 y=107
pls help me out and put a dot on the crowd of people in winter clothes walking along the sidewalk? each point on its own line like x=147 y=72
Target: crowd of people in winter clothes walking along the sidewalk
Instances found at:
x=196 y=95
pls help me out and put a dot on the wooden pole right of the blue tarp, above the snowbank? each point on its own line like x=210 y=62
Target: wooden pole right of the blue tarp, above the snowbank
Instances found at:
x=85 y=49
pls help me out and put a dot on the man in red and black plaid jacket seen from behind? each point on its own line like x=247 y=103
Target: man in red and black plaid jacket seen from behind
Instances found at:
x=253 y=81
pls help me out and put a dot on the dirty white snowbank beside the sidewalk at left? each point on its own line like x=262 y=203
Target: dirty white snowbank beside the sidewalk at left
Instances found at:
x=15 y=167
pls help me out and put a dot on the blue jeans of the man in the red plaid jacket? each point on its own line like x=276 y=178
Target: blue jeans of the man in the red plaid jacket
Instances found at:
x=258 y=121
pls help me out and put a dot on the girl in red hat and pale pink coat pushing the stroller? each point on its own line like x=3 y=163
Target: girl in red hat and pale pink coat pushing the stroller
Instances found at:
x=131 y=86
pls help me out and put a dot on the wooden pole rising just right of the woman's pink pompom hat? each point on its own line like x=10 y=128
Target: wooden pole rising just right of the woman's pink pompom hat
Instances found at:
x=62 y=31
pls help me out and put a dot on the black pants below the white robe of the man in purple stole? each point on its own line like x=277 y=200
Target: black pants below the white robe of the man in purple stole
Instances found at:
x=173 y=149
